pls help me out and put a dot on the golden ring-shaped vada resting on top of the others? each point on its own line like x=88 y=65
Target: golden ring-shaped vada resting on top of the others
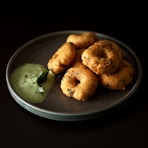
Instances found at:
x=100 y=59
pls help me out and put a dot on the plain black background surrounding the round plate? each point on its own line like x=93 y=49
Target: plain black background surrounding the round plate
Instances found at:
x=125 y=127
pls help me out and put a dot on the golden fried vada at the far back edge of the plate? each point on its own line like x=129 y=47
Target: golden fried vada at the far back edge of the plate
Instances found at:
x=82 y=40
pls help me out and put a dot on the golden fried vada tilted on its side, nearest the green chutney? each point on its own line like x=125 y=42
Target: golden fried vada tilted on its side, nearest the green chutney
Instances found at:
x=62 y=58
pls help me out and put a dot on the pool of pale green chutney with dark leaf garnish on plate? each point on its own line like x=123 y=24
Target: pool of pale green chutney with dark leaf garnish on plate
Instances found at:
x=32 y=82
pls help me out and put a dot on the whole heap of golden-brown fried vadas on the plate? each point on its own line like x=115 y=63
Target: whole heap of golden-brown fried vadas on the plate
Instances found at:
x=89 y=62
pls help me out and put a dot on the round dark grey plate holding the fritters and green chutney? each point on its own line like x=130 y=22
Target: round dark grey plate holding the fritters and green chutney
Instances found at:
x=57 y=106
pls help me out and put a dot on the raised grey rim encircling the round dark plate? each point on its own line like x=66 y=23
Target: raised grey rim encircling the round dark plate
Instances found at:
x=61 y=116
